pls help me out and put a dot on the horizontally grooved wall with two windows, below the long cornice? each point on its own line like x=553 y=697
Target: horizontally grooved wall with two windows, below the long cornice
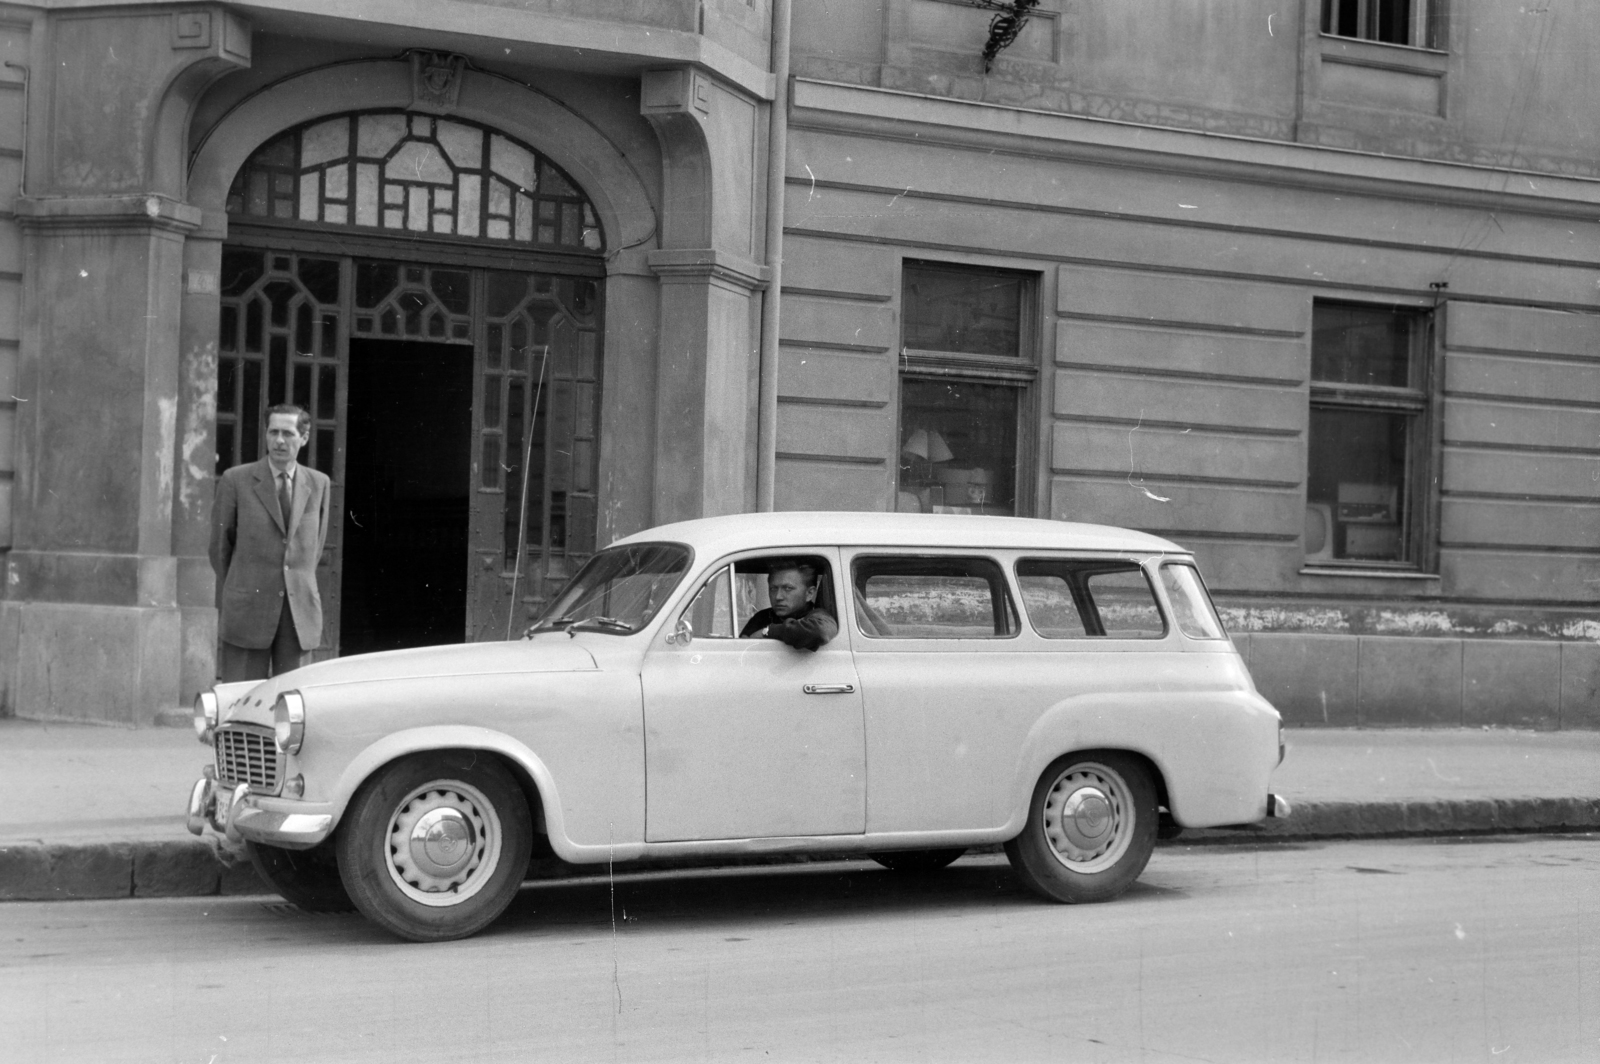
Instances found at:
x=1175 y=350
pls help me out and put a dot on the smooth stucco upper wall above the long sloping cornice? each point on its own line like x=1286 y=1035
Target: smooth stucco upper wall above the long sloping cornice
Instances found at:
x=1498 y=90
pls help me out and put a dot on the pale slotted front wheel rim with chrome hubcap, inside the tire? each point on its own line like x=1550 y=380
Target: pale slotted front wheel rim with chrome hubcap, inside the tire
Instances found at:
x=444 y=844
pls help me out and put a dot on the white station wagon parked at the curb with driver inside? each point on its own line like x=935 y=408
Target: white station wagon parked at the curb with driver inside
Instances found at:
x=1065 y=690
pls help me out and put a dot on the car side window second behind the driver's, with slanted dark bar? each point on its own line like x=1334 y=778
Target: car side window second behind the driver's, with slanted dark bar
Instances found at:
x=1089 y=599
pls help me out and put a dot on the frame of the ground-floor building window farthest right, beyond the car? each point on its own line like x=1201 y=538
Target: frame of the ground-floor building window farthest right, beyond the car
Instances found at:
x=1422 y=404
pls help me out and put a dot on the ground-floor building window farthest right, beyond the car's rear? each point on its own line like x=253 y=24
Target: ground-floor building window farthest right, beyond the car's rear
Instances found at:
x=1370 y=439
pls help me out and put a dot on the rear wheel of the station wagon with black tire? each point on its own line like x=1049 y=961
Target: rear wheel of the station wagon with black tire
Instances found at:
x=1090 y=828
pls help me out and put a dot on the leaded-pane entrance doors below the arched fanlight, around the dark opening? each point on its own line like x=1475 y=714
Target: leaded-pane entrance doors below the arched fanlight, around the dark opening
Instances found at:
x=287 y=329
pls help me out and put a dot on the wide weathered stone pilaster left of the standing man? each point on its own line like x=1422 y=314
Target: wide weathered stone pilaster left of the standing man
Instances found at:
x=92 y=580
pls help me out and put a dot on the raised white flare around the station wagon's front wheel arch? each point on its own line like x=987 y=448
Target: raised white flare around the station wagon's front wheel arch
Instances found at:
x=423 y=740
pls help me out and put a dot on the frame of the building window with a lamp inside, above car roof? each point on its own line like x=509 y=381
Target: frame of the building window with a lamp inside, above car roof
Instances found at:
x=1020 y=374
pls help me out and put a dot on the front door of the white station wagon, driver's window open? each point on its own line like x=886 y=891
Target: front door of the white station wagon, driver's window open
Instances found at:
x=748 y=738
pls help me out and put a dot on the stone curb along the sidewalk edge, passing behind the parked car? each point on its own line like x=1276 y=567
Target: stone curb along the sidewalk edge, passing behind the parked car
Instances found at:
x=190 y=868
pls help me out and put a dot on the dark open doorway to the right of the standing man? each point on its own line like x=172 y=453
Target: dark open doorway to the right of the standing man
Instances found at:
x=409 y=476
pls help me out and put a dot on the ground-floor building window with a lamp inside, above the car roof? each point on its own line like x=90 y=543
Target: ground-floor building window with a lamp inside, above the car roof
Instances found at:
x=967 y=372
